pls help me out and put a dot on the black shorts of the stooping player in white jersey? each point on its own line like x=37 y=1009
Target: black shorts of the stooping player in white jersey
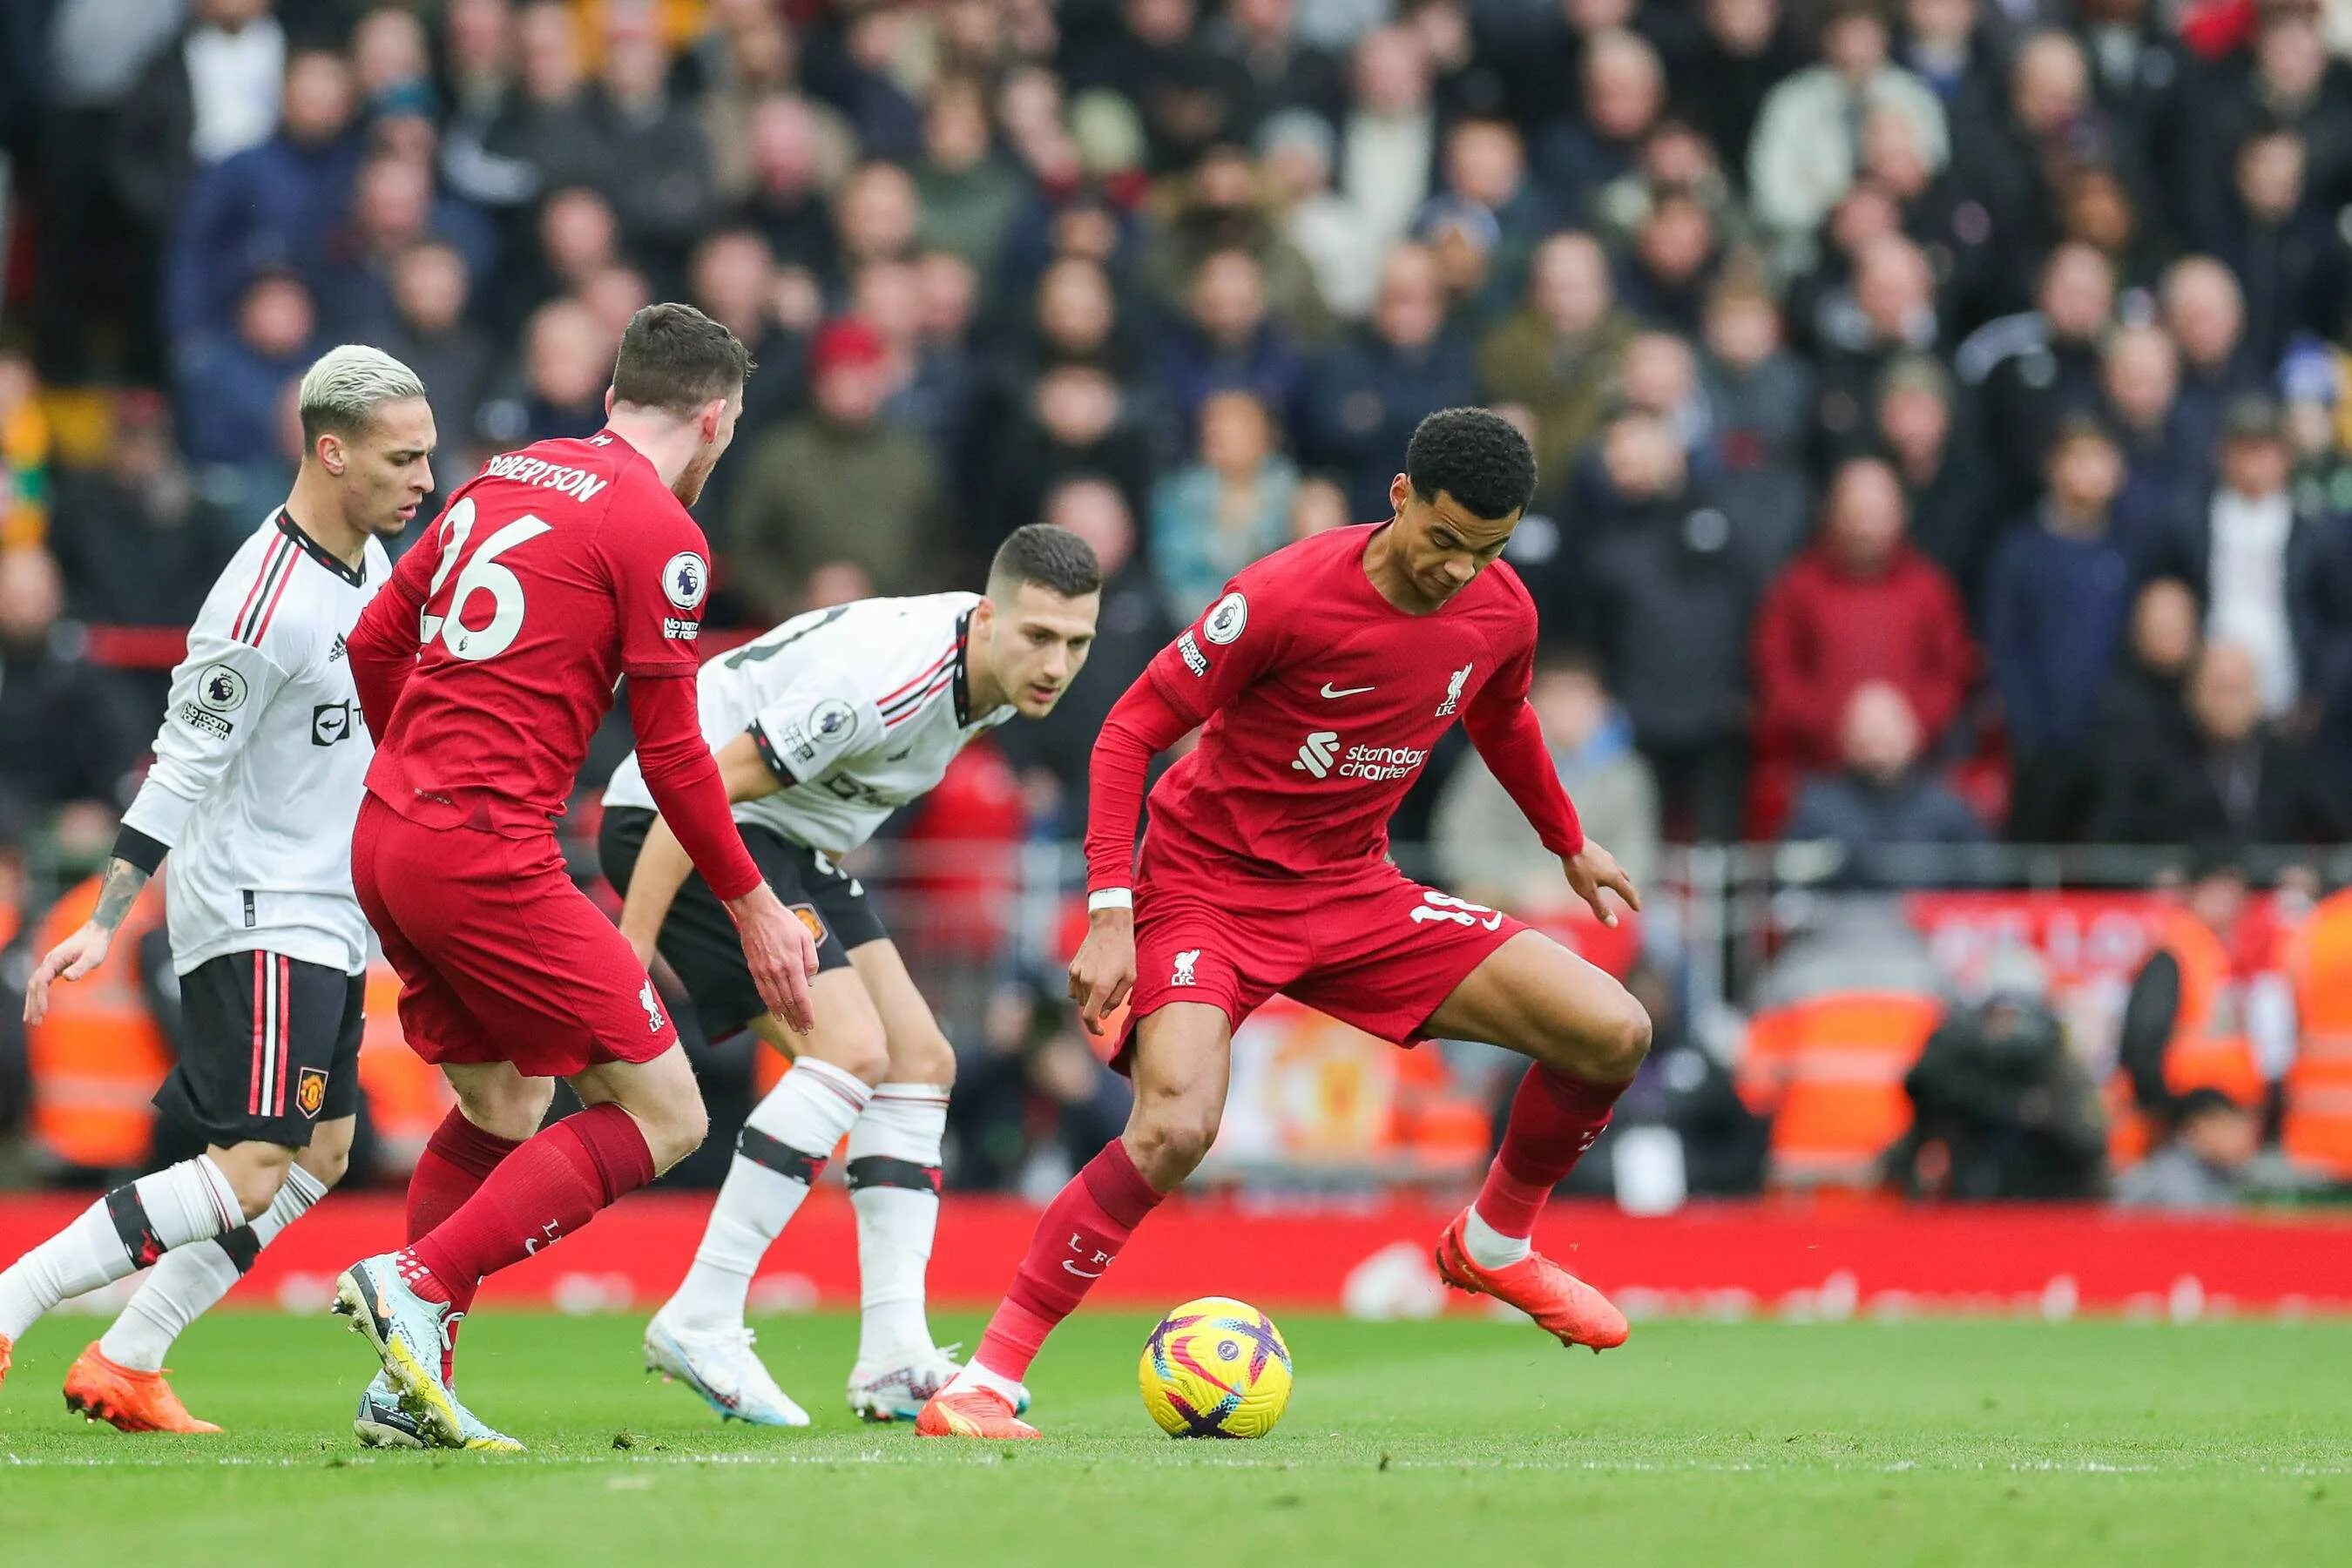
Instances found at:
x=700 y=937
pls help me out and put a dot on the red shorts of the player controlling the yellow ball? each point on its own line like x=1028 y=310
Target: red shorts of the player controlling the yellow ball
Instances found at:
x=1372 y=949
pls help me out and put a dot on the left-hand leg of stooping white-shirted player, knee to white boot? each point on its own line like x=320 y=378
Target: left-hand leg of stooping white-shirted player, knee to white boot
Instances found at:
x=700 y=1336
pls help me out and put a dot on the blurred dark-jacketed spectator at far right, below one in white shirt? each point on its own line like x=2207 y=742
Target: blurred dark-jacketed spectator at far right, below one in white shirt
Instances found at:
x=2229 y=777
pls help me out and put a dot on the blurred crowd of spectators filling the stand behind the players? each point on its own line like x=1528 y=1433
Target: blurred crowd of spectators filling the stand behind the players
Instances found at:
x=1944 y=406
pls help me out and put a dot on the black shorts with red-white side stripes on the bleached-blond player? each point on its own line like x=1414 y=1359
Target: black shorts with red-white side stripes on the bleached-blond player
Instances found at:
x=269 y=1050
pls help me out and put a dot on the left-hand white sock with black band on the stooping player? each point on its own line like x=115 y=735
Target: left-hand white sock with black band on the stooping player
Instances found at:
x=782 y=1151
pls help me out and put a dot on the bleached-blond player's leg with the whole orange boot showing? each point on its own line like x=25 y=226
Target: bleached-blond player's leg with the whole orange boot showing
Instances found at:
x=121 y=1379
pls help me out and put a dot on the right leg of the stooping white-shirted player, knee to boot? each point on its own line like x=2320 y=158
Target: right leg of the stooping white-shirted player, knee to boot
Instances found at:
x=895 y=1153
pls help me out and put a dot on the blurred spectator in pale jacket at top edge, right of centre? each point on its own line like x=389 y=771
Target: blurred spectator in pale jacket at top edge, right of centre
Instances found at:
x=1805 y=145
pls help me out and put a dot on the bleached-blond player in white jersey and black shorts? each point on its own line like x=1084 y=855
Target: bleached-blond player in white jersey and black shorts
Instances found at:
x=255 y=789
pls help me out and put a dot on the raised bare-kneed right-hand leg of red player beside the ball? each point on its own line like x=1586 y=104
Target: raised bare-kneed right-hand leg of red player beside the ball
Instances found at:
x=1586 y=1038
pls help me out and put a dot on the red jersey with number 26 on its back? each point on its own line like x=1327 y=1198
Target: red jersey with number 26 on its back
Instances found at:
x=549 y=577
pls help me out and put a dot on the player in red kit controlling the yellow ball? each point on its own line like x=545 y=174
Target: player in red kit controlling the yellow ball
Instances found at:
x=1321 y=681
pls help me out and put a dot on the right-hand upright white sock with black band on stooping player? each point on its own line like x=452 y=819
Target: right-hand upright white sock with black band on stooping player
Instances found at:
x=895 y=1188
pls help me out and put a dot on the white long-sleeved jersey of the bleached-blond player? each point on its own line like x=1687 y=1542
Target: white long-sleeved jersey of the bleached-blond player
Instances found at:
x=262 y=758
